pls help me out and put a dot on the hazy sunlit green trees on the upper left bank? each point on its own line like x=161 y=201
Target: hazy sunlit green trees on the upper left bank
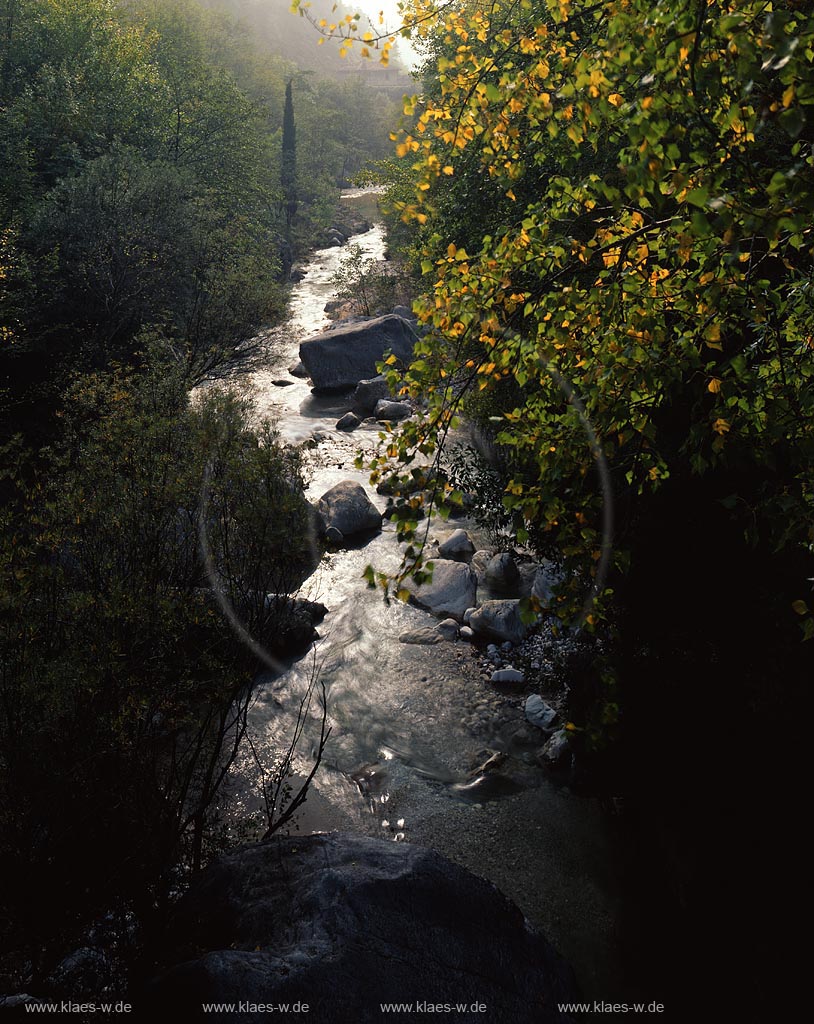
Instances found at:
x=142 y=186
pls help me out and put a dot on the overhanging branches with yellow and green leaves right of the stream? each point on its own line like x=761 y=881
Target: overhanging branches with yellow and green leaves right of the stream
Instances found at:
x=644 y=268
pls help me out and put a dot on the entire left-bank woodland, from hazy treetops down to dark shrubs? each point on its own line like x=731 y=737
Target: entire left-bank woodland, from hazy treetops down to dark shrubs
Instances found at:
x=161 y=167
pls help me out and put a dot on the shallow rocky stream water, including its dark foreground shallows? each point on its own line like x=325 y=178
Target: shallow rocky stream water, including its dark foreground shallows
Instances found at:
x=409 y=722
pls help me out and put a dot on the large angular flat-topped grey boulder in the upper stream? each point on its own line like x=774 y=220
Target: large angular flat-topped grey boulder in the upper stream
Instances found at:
x=339 y=359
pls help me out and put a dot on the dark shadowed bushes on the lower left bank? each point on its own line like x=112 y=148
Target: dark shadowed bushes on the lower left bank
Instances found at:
x=124 y=688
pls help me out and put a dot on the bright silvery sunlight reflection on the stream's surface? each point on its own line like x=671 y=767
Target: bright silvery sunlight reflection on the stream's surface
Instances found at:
x=398 y=741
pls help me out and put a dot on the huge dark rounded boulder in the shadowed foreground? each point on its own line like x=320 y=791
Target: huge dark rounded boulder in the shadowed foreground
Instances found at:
x=346 y=924
